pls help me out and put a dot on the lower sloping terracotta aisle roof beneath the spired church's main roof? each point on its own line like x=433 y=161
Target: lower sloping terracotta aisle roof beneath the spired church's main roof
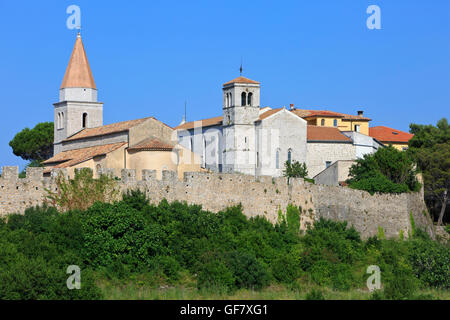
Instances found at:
x=70 y=158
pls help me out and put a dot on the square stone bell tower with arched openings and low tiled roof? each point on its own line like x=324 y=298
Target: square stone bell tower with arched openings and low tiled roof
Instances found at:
x=241 y=101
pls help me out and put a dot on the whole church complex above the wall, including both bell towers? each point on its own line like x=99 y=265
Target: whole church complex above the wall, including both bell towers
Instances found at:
x=245 y=138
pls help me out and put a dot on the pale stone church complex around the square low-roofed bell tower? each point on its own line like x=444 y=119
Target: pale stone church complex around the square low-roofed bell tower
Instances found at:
x=256 y=140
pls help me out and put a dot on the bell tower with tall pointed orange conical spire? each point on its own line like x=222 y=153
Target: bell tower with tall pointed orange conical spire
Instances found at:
x=78 y=107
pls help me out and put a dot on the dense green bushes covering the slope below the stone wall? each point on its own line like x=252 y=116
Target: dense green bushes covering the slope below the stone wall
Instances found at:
x=177 y=246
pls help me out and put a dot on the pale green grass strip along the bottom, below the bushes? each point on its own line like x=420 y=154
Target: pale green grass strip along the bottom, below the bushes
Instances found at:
x=141 y=291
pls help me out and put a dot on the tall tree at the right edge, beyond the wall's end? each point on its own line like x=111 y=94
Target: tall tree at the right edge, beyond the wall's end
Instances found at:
x=430 y=147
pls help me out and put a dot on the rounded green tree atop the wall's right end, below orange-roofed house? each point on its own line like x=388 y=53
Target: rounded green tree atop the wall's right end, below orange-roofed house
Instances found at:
x=386 y=171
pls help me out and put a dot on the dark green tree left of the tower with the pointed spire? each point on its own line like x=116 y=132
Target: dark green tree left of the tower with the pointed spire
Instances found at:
x=35 y=144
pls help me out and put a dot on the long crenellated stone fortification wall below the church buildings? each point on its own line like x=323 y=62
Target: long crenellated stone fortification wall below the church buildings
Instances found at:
x=257 y=195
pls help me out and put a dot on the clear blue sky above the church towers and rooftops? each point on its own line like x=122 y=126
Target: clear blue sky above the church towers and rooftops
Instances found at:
x=148 y=57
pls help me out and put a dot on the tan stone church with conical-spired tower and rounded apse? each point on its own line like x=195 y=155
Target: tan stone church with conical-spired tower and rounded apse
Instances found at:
x=81 y=139
